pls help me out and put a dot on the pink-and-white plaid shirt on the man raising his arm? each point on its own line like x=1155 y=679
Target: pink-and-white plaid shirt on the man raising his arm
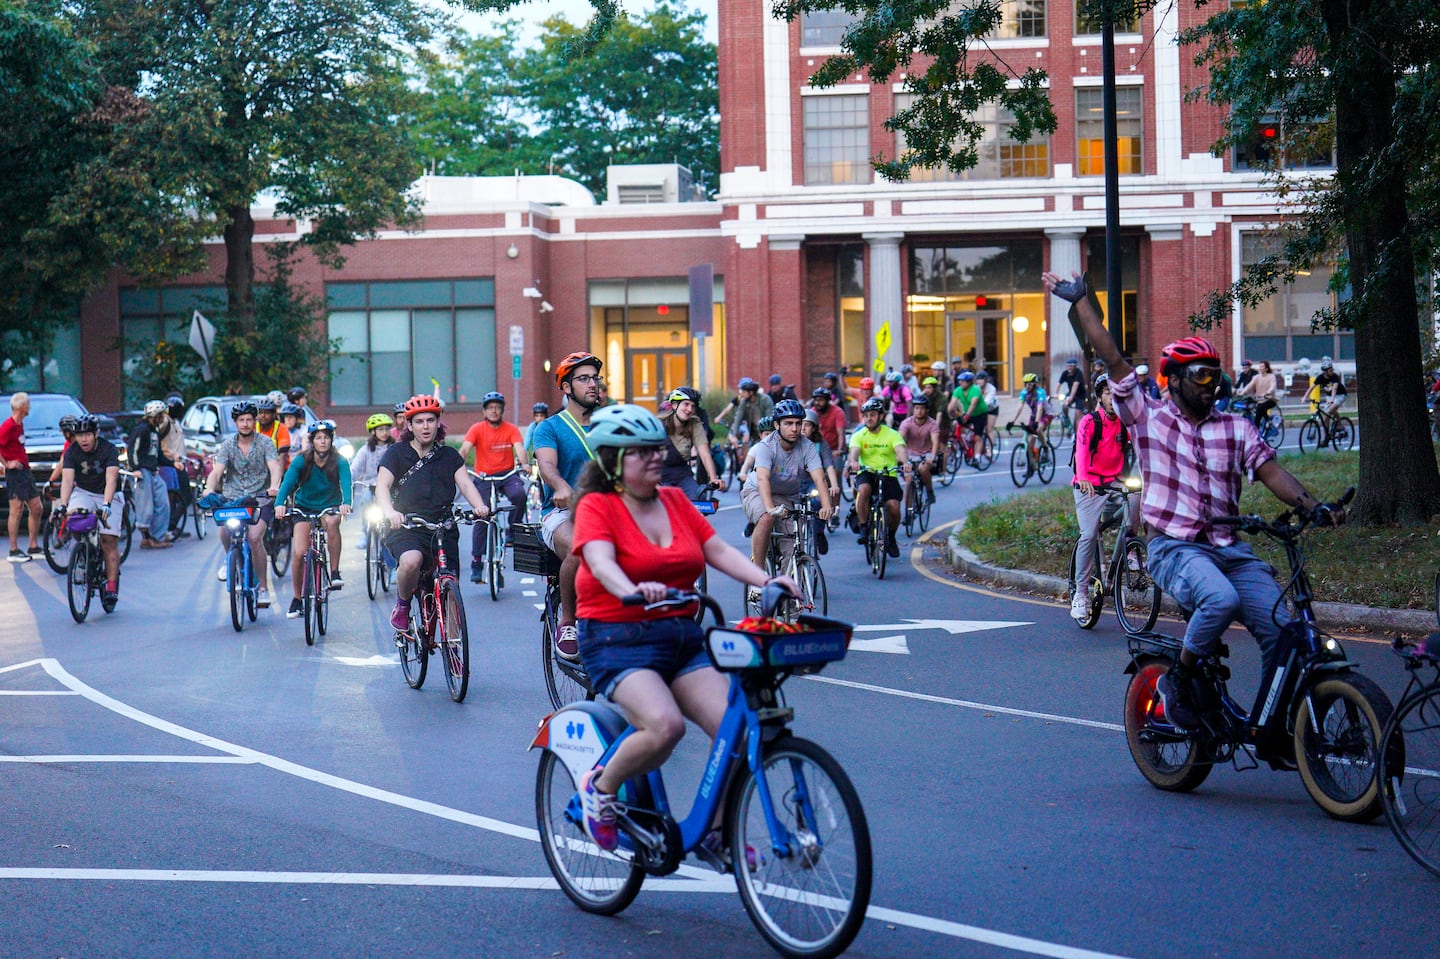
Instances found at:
x=1192 y=472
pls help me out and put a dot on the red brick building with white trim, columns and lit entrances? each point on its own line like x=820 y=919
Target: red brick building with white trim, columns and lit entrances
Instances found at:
x=817 y=263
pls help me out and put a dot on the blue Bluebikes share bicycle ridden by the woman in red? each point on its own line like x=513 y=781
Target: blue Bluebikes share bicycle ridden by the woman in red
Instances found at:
x=793 y=830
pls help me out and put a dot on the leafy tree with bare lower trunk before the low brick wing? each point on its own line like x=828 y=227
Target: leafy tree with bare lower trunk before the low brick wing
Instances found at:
x=299 y=100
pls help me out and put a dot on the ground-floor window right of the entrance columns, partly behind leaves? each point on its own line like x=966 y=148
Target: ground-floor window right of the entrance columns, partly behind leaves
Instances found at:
x=1279 y=329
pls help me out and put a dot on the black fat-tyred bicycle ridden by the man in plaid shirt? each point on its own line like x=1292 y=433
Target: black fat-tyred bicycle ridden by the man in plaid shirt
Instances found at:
x=1314 y=711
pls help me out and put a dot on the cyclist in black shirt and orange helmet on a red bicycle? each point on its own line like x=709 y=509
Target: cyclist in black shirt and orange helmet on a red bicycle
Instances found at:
x=421 y=476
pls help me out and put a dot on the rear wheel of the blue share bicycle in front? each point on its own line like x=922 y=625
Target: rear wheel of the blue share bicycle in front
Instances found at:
x=595 y=881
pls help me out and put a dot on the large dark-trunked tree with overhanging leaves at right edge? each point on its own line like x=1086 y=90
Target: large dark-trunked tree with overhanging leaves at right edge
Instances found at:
x=1364 y=76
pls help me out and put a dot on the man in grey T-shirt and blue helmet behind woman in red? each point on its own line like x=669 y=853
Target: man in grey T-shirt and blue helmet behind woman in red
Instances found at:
x=783 y=460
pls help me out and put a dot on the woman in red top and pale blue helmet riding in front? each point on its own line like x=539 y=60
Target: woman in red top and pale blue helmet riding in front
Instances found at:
x=637 y=536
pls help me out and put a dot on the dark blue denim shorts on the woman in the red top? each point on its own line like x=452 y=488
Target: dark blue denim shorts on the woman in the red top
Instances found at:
x=611 y=652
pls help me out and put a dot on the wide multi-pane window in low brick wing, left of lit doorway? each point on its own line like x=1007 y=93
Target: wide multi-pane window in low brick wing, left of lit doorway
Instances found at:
x=397 y=338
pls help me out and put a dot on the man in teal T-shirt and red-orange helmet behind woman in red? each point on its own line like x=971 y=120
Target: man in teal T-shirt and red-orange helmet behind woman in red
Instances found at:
x=561 y=453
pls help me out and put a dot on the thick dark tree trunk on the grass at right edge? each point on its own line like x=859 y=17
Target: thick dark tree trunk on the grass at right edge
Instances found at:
x=1399 y=480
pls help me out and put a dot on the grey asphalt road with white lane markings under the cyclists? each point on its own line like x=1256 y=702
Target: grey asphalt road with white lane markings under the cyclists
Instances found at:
x=174 y=788
